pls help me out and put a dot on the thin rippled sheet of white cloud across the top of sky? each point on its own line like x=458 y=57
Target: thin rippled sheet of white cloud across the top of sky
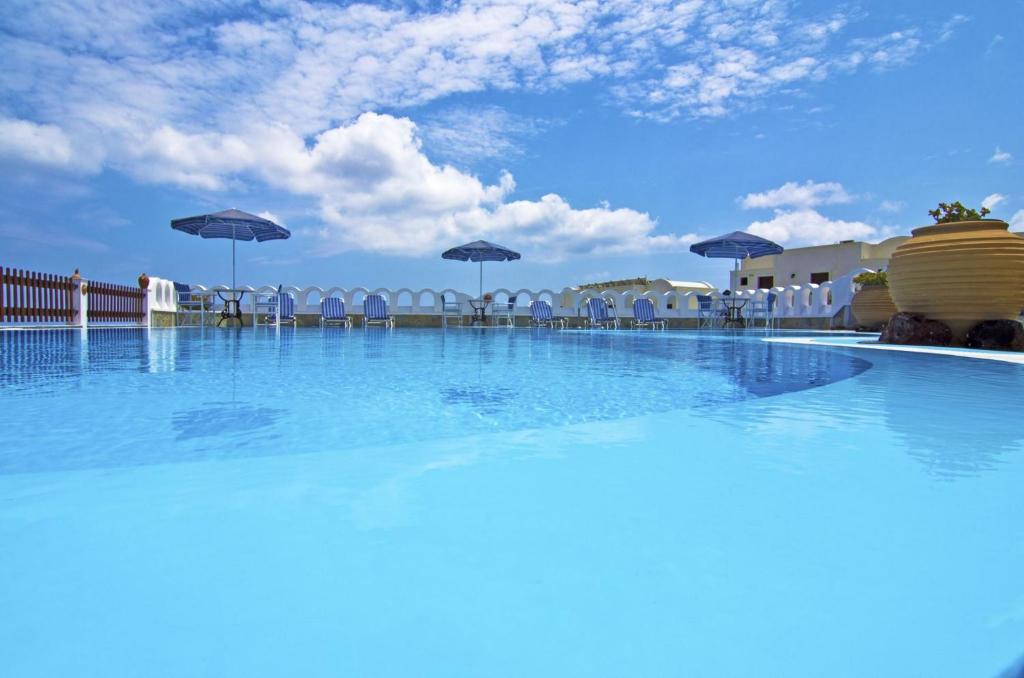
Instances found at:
x=311 y=66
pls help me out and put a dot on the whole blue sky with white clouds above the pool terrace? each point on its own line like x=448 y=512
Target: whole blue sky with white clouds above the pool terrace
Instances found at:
x=601 y=140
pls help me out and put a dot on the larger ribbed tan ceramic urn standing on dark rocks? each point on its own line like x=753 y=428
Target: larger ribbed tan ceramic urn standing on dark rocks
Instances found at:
x=960 y=274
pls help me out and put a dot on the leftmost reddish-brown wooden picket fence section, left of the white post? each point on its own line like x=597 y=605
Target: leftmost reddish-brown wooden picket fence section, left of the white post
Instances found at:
x=30 y=298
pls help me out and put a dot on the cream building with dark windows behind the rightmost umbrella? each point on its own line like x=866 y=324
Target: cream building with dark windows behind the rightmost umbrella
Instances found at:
x=814 y=265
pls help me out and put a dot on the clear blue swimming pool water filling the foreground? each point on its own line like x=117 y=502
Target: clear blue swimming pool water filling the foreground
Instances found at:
x=494 y=503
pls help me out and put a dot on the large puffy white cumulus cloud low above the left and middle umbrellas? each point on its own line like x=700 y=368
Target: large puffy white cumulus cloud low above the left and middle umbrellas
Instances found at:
x=378 y=192
